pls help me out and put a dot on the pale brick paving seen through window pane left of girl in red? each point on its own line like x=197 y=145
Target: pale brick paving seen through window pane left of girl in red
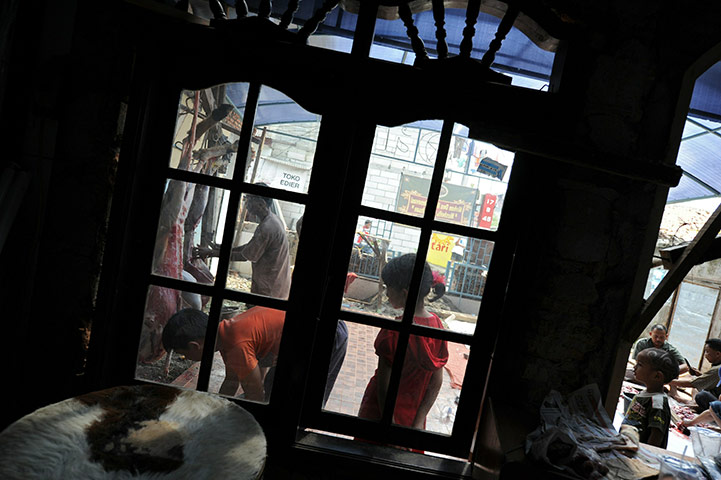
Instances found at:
x=359 y=365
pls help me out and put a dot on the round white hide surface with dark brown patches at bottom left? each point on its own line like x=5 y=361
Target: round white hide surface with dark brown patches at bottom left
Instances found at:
x=136 y=432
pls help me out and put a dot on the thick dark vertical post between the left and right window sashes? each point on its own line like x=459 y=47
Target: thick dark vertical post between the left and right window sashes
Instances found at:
x=342 y=147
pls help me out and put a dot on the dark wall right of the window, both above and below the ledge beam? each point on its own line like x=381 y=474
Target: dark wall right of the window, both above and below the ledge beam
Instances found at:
x=588 y=239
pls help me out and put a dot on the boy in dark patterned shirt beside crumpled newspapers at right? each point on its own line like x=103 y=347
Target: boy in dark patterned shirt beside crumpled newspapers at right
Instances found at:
x=649 y=411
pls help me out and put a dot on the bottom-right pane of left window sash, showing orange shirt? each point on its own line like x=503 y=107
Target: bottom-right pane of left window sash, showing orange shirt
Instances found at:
x=248 y=345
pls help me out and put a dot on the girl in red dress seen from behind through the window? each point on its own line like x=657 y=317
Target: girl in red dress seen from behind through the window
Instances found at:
x=422 y=374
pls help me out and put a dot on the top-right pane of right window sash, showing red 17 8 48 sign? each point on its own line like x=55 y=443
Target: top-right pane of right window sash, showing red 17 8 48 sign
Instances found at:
x=475 y=182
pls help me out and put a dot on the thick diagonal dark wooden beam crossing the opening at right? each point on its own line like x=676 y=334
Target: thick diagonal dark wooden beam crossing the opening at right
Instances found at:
x=675 y=275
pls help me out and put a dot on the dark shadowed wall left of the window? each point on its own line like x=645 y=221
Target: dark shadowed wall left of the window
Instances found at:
x=67 y=79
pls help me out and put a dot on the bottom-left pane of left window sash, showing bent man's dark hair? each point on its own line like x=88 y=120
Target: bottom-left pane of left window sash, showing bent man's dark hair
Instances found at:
x=154 y=363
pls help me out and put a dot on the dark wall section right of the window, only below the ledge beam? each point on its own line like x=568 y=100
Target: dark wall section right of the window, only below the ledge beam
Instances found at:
x=572 y=281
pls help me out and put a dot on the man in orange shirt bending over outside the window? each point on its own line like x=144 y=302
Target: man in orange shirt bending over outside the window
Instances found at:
x=248 y=343
